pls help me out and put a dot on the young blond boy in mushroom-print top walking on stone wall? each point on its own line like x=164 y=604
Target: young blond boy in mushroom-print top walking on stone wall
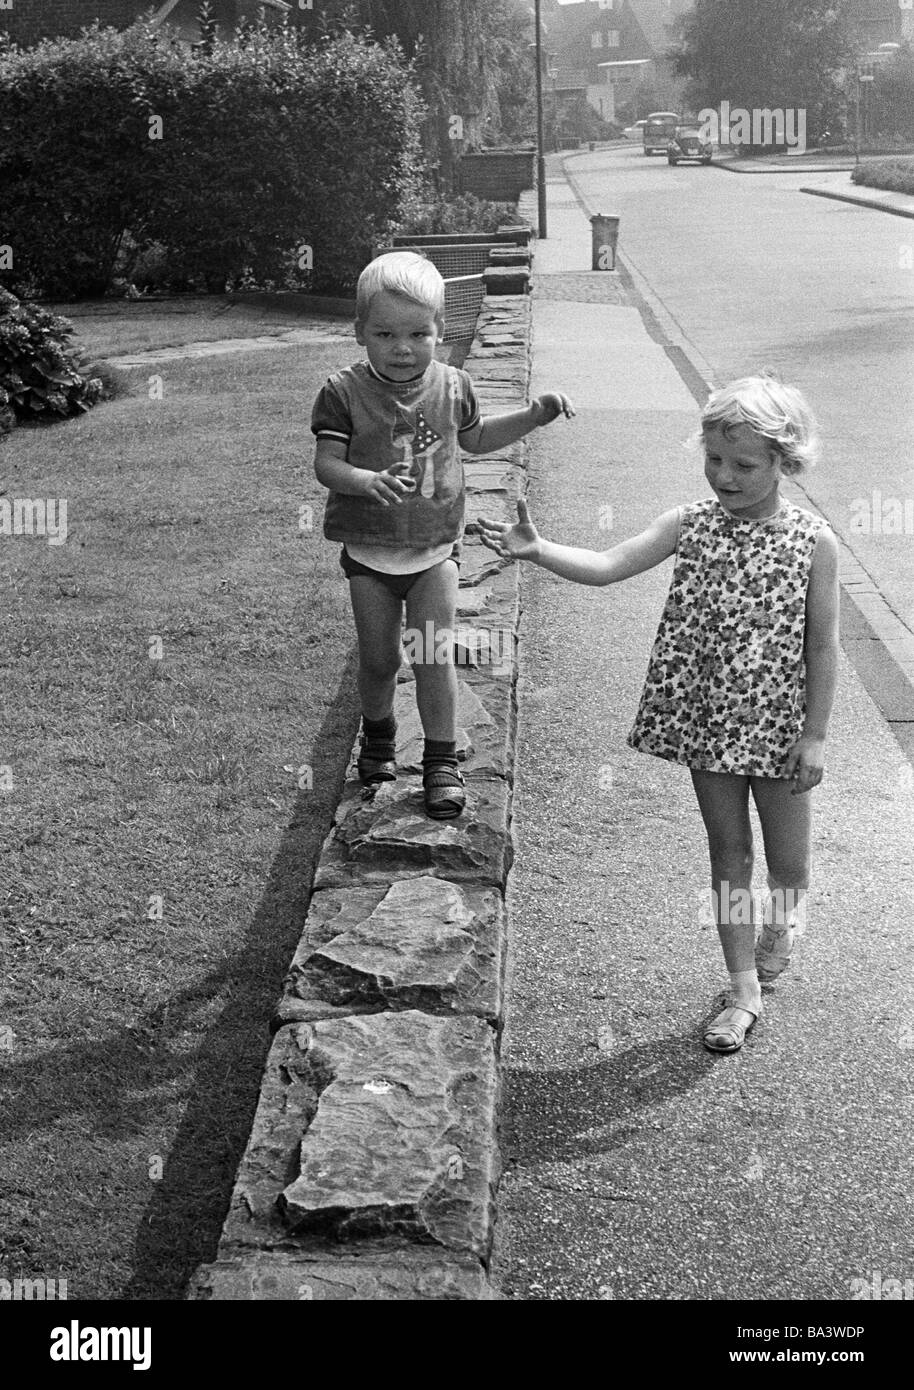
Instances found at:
x=390 y=434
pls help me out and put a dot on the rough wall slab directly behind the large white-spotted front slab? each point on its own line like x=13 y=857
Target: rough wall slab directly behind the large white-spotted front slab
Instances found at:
x=417 y=945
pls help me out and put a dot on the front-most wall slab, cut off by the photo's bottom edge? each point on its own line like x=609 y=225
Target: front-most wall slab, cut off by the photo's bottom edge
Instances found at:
x=288 y=1279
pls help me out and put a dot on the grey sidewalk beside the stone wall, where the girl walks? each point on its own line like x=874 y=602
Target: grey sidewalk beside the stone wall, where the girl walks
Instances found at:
x=638 y=1166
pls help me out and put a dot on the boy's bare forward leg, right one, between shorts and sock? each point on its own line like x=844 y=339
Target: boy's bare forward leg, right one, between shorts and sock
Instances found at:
x=434 y=601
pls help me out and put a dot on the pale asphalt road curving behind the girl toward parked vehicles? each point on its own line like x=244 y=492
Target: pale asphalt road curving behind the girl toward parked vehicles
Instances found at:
x=758 y=275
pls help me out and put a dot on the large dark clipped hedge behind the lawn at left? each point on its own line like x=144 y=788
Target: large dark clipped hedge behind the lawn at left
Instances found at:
x=269 y=159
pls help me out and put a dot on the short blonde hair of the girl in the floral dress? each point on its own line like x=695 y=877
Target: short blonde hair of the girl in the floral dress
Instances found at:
x=777 y=412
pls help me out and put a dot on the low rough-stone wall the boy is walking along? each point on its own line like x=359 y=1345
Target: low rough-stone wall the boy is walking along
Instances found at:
x=373 y=1166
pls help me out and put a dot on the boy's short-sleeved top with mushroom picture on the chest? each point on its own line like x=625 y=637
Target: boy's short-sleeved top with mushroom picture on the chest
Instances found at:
x=412 y=425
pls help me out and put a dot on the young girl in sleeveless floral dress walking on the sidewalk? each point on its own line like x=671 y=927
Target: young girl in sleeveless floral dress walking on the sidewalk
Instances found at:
x=742 y=675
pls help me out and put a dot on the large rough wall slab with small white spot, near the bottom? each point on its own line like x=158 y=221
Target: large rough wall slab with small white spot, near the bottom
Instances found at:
x=367 y=1129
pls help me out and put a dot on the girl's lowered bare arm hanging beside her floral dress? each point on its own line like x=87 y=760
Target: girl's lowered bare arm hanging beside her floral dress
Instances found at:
x=808 y=757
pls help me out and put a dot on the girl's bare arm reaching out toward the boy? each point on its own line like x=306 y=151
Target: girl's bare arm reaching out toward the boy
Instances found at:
x=641 y=553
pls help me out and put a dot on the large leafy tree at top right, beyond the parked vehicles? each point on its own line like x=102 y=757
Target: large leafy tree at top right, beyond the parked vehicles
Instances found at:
x=766 y=54
